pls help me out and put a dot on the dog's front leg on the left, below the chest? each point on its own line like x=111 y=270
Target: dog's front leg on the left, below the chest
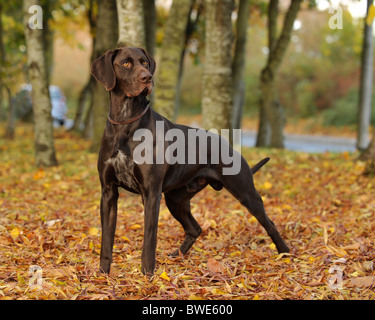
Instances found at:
x=108 y=215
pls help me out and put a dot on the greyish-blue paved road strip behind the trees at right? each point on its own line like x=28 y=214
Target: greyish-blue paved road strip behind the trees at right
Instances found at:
x=306 y=143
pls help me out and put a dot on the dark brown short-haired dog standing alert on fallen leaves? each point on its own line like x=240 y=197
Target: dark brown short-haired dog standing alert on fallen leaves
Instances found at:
x=127 y=74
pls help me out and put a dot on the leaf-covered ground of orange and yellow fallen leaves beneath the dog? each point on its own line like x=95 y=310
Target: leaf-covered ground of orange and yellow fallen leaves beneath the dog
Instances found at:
x=323 y=206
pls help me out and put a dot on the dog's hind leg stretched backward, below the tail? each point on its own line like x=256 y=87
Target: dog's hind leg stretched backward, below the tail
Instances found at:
x=241 y=186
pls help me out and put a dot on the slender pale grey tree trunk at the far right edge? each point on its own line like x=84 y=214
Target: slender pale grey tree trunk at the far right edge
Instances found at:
x=365 y=89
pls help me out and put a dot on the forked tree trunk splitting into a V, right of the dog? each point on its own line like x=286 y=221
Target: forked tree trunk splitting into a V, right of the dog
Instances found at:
x=273 y=111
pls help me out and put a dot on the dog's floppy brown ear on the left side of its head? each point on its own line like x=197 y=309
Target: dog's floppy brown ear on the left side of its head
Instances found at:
x=103 y=71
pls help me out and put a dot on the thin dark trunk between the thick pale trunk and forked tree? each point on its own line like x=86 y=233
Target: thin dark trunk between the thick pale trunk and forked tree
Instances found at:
x=239 y=63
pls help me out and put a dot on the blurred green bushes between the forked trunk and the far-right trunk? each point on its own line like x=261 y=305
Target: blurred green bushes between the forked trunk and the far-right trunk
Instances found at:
x=322 y=64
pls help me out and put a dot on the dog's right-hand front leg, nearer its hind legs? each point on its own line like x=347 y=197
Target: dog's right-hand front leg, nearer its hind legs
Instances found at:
x=151 y=202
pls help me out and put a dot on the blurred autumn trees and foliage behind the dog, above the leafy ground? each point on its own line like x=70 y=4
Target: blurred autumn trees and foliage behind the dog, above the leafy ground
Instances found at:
x=276 y=61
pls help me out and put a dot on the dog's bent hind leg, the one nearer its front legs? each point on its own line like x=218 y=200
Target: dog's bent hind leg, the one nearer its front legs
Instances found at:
x=178 y=203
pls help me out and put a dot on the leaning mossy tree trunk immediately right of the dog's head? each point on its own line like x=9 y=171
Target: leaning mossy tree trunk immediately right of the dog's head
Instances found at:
x=172 y=46
